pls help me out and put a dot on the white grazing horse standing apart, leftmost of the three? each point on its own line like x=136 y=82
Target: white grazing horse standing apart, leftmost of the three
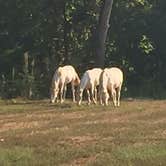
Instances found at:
x=63 y=76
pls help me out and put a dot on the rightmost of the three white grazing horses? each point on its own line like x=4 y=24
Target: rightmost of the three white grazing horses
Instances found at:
x=111 y=80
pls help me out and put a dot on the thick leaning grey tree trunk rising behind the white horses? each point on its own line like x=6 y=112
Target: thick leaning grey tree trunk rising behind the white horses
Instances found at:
x=101 y=32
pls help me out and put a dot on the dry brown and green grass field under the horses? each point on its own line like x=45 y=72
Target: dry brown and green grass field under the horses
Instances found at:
x=37 y=133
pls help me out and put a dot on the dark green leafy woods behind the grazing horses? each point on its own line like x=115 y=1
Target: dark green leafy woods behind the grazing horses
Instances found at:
x=37 y=36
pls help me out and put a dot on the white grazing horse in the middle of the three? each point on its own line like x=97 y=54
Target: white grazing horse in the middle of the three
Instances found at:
x=89 y=81
